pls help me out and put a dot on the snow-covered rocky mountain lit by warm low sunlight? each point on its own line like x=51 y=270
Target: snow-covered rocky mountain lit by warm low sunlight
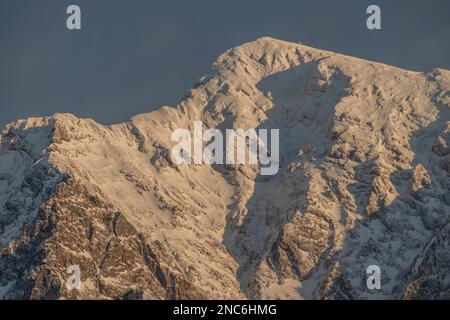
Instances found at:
x=363 y=180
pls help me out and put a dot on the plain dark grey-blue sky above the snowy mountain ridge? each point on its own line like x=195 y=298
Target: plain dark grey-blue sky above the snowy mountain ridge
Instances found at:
x=133 y=55
